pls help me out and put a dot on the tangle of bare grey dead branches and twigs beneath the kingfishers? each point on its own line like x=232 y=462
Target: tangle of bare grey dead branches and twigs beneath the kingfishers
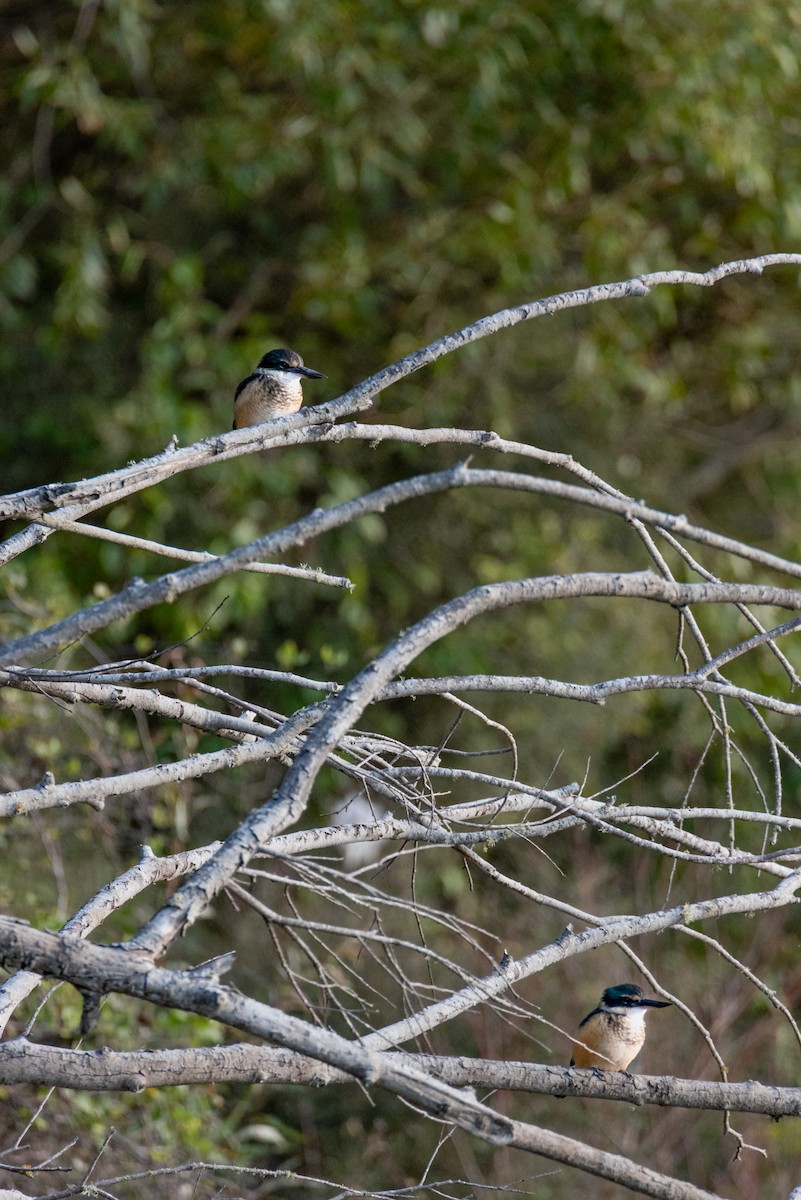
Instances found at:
x=327 y=919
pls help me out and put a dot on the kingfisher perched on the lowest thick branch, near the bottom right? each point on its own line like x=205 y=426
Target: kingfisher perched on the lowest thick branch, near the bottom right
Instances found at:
x=613 y=1034
